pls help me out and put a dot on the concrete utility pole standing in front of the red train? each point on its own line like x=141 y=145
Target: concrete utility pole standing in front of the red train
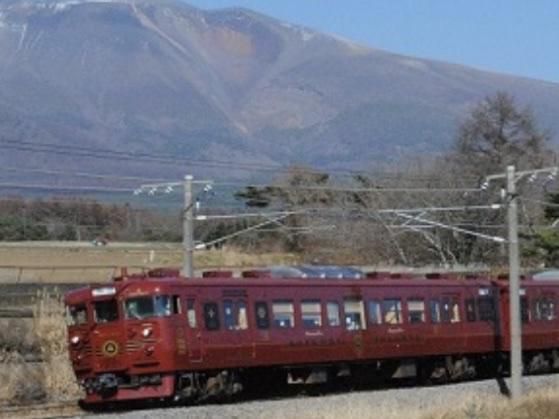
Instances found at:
x=514 y=288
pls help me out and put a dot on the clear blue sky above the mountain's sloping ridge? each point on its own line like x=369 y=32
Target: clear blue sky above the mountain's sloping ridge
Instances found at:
x=509 y=36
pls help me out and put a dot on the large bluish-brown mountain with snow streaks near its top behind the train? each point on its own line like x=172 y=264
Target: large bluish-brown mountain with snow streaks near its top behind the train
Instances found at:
x=161 y=77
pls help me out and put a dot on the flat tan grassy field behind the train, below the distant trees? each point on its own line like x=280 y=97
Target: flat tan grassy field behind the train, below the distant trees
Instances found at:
x=82 y=262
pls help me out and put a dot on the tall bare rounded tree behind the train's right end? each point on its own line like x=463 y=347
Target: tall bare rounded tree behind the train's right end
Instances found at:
x=496 y=133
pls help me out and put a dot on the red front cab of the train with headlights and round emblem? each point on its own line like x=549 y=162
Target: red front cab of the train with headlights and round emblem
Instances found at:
x=122 y=342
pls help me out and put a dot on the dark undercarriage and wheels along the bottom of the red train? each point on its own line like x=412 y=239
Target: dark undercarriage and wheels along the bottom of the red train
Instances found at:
x=228 y=385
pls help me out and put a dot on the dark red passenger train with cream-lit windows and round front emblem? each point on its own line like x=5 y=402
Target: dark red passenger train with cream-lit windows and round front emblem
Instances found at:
x=162 y=336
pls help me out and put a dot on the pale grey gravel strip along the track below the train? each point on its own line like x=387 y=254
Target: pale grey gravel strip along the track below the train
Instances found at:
x=402 y=403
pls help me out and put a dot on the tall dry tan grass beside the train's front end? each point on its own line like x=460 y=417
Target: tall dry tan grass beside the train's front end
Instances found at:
x=51 y=380
